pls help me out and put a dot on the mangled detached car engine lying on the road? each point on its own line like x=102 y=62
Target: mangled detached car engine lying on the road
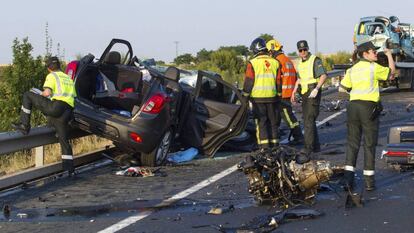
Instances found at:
x=275 y=177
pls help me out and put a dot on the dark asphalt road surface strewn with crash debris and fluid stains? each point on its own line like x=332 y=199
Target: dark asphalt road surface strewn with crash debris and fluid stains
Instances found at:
x=99 y=201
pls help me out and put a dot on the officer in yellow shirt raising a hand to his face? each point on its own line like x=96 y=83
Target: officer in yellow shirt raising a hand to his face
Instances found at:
x=361 y=80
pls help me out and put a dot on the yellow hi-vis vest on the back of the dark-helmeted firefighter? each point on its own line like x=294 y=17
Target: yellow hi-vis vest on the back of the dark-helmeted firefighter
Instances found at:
x=265 y=70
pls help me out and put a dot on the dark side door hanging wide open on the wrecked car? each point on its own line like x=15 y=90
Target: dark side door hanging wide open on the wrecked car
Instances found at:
x=218 y=112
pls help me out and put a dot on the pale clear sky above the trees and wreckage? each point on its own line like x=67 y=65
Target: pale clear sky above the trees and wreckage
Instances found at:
x=153 y=26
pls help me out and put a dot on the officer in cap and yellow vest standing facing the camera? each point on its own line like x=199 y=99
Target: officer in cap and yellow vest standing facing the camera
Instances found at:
x=311 y=76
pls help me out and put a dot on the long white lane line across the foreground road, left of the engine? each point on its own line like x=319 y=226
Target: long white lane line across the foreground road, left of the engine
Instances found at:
x=133 y=219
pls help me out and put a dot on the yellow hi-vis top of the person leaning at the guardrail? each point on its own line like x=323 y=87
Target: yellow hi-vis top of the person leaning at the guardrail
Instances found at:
x=62 y=87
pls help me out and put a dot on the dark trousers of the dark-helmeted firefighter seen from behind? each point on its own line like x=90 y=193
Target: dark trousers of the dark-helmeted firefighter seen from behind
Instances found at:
x=267 y=119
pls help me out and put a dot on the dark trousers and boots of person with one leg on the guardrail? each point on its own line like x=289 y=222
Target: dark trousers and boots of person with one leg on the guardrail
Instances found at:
x=59 y=113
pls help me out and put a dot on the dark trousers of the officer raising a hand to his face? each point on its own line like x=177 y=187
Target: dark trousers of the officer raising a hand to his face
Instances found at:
x=359 y=122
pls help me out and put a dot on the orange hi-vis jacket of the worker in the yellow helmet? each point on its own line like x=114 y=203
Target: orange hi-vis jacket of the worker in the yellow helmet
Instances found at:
x=288 y=75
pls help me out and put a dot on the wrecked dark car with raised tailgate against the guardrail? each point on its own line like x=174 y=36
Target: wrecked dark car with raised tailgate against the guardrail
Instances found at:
x=143 y=110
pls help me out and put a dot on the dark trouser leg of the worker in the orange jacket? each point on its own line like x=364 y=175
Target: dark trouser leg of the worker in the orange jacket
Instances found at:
x=286 y=113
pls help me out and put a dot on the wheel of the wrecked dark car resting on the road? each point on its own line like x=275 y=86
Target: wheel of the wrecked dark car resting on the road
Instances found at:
x=158 y=156
